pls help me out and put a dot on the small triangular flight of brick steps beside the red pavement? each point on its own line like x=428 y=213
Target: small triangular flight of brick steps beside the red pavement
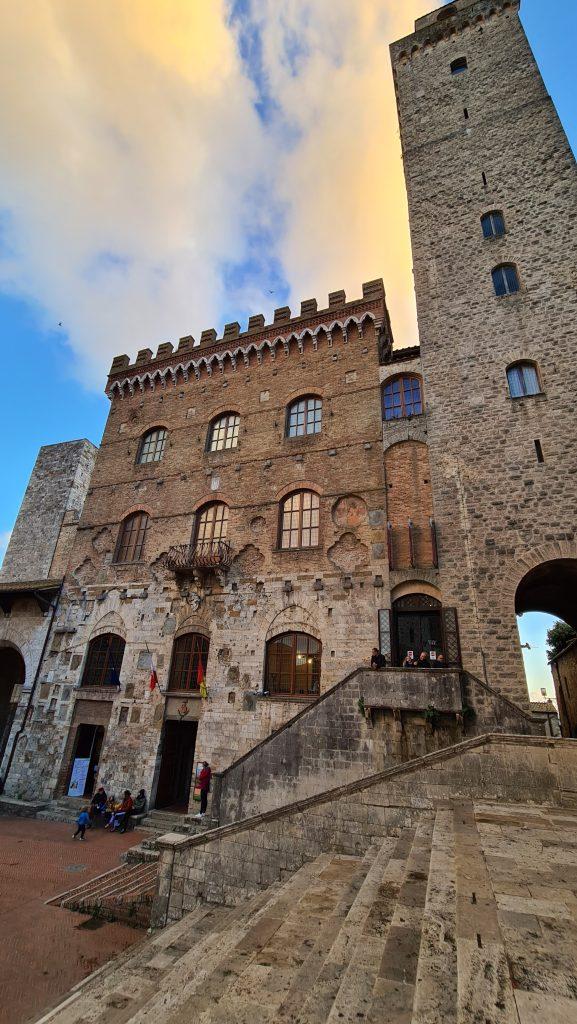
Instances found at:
x=126 y=893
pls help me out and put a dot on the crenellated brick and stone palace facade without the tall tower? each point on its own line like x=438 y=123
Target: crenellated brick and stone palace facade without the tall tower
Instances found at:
x=298 y=408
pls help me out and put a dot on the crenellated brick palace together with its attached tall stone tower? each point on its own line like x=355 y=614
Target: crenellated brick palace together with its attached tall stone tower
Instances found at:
x=268 y=506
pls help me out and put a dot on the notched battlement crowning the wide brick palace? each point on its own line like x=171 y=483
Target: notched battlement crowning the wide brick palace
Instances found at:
x=234 y=344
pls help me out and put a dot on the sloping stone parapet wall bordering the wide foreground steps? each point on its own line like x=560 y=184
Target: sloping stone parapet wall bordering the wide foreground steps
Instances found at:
x=228 y=865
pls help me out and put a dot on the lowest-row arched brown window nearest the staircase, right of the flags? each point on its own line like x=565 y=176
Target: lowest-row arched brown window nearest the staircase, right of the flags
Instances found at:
x=294 y=665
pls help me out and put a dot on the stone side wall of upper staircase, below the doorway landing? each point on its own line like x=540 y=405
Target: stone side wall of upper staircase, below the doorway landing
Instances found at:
x=370 y=721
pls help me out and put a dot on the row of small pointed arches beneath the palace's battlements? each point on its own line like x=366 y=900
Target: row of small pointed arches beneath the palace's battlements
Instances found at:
x=231 y=359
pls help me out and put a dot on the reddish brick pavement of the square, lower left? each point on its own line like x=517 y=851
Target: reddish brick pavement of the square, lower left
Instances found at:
x=46 y=951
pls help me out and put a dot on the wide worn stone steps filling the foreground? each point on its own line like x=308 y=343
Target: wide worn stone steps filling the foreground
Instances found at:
x=458 y=919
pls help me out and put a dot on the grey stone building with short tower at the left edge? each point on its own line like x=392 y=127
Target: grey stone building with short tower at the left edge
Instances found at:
x=31 y=578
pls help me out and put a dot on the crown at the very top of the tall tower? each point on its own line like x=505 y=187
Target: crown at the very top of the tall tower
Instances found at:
x=447 y=22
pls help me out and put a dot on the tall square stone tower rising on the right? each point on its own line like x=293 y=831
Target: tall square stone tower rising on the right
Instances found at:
x=493 y=212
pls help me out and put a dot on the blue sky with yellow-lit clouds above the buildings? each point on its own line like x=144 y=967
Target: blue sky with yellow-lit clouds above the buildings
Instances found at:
x=170 y=167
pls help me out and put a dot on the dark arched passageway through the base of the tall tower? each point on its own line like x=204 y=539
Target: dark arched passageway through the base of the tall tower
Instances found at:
x=552 y=588
